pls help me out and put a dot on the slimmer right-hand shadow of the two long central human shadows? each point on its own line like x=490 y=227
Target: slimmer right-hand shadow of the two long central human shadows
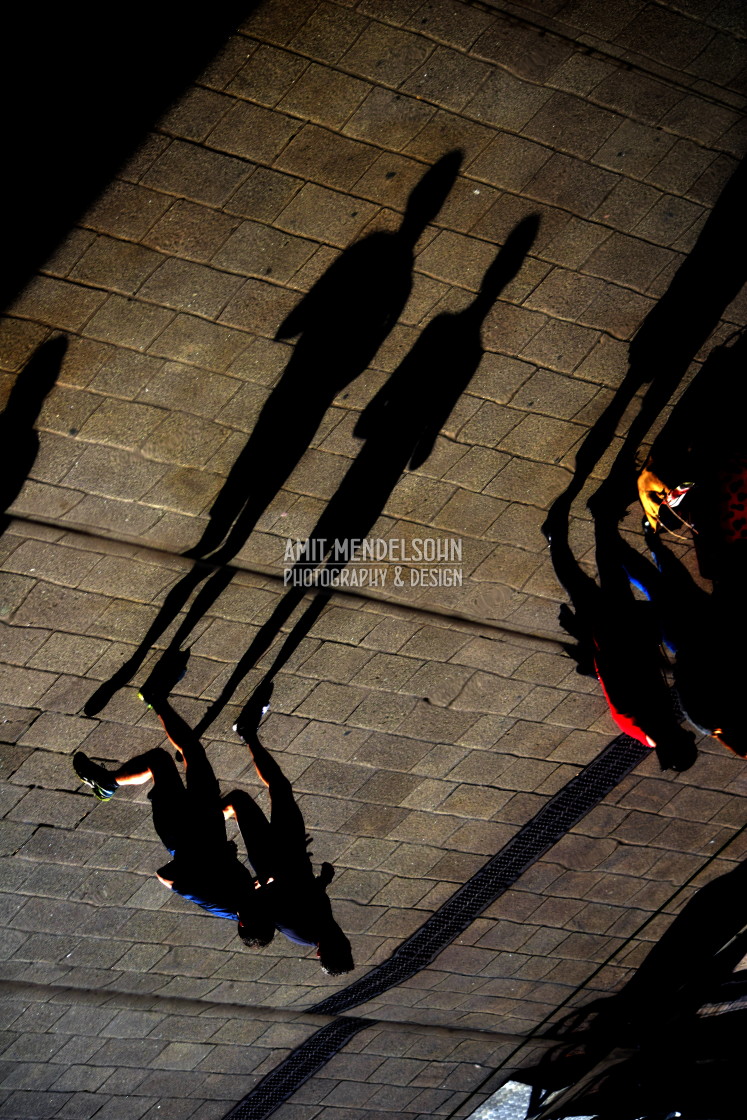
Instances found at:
x=400 y=426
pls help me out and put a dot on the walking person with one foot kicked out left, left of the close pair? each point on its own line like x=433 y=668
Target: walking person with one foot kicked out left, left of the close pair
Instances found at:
x=190 y=822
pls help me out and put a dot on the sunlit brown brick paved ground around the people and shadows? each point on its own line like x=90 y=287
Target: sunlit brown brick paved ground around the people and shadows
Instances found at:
x=418 y=735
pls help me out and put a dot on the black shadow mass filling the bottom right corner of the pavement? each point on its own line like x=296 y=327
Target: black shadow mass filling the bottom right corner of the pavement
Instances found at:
x=647 y=1053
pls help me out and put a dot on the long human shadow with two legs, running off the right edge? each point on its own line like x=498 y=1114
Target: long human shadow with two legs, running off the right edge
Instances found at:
x=669 y=339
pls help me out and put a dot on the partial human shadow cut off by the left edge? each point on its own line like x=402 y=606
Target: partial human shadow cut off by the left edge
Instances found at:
x=18 y=437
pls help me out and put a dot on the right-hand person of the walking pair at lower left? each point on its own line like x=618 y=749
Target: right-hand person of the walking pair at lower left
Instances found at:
x=278 y=851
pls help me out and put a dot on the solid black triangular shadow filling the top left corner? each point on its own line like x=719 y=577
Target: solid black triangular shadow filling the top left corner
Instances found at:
x=81 y=89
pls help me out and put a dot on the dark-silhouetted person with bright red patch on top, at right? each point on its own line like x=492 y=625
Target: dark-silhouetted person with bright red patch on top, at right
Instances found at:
x=619 y=642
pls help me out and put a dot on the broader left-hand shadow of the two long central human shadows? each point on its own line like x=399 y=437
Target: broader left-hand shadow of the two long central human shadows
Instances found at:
x=341 y=323
